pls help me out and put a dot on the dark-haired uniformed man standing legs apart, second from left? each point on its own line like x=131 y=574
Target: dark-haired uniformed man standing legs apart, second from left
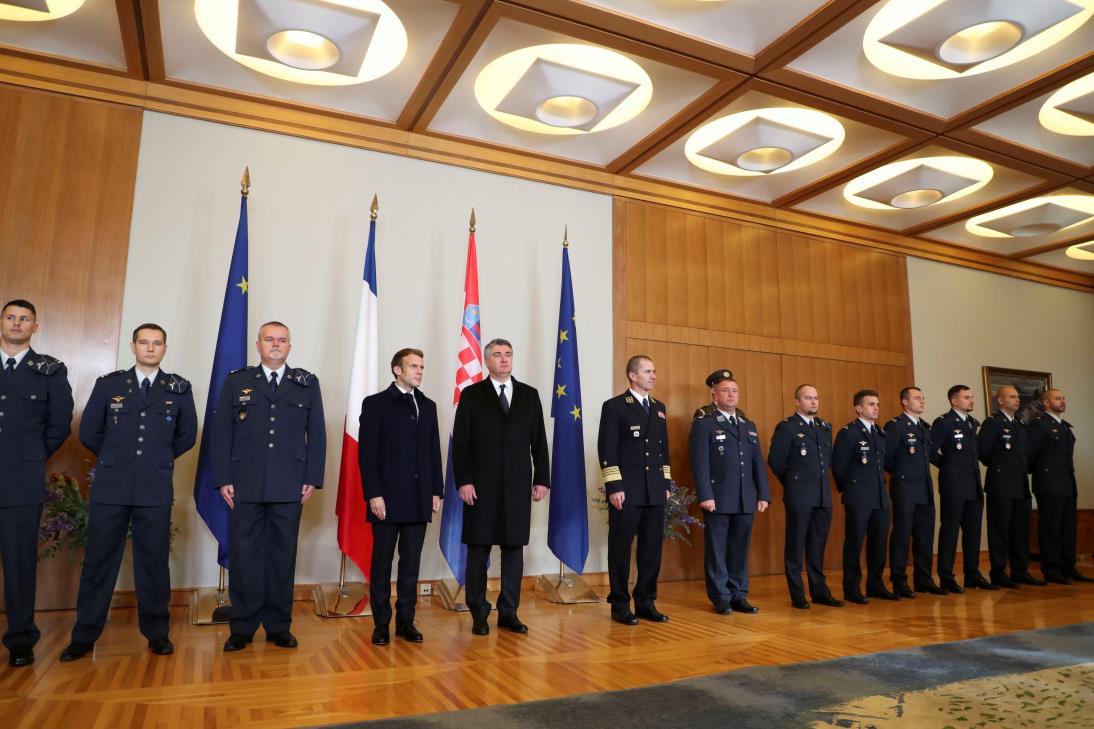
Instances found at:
x=137 y=423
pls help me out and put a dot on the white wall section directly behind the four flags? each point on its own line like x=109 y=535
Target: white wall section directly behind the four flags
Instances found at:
x=309 y=218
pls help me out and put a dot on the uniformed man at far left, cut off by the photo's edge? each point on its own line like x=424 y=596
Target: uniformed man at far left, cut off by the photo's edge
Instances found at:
x=36 y=419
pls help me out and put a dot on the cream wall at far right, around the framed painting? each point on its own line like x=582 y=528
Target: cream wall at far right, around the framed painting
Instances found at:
x=963 y=320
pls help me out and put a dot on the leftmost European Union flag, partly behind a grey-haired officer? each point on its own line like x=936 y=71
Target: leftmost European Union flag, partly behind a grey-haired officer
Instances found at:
x=231 y=355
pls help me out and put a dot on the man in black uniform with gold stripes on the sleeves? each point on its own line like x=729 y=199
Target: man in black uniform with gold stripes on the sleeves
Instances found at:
x=633 y=445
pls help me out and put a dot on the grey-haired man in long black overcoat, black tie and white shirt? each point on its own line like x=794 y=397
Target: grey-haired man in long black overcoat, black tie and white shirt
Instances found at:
x=499 y=452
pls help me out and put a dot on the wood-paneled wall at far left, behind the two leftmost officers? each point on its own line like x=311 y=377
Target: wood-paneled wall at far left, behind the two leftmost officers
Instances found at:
x=67 y=173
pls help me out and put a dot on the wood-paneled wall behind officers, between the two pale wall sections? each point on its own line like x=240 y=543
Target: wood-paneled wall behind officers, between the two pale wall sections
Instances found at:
x=697 y=293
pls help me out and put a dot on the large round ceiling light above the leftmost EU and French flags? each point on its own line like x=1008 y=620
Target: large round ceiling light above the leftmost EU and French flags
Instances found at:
x=327 y=43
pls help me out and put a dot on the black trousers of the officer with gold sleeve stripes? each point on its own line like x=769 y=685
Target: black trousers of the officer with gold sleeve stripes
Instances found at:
x=648 y=525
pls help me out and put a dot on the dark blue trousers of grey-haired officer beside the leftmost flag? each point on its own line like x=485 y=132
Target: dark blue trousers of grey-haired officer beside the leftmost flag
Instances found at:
x=262 y=553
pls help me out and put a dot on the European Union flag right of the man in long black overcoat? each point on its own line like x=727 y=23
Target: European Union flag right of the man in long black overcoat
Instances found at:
x=568 y=524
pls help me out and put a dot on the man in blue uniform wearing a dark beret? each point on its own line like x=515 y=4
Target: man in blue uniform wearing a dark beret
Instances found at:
x=731 y=483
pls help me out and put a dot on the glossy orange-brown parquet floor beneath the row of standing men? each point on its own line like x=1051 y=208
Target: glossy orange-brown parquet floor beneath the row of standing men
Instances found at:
x=339 y=676
